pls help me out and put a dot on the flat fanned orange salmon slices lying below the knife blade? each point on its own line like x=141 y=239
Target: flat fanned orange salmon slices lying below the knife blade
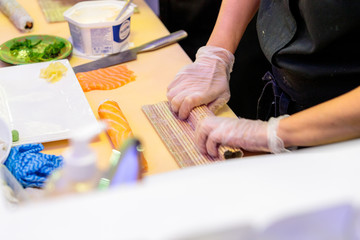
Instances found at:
x=105 y=78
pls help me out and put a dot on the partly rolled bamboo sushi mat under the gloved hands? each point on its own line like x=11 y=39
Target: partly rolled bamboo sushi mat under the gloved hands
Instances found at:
x=178 y=135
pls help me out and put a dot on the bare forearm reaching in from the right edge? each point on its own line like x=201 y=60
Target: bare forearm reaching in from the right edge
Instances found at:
x=332 y=121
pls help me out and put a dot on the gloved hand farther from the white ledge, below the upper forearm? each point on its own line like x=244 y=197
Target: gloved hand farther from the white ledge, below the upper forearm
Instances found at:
x=206 y=81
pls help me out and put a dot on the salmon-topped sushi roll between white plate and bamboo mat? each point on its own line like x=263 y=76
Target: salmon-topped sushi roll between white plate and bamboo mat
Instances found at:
x=118 y=128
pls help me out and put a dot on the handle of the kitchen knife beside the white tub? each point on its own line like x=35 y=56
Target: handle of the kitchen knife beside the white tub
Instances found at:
x=162 y=42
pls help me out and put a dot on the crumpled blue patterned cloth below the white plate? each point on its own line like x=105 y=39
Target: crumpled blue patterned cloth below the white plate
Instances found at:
x=30 y=167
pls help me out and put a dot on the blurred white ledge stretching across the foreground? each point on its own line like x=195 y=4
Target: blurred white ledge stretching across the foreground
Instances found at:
x=255 y=192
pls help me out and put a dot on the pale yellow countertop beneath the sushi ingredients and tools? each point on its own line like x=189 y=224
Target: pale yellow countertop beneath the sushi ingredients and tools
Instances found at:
x=153 y=70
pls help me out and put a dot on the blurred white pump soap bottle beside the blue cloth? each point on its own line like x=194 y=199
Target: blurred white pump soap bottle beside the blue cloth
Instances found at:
x=79 y=172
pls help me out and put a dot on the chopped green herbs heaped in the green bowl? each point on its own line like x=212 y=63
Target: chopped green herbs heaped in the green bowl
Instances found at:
x=36 y=52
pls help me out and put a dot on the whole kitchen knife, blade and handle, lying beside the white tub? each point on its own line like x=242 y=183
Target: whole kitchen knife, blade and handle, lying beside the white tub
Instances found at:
x=129 y=55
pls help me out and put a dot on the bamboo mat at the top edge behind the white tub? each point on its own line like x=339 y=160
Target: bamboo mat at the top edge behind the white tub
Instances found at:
x=54 y=9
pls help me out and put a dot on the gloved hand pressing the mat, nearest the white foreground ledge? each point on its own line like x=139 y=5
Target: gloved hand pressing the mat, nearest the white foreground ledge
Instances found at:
x=251 y=135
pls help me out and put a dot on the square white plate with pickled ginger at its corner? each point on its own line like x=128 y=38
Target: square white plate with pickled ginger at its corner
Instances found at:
x=41 y=111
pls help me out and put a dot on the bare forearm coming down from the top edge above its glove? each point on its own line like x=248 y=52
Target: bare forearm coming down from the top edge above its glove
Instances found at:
x=233 y=18
